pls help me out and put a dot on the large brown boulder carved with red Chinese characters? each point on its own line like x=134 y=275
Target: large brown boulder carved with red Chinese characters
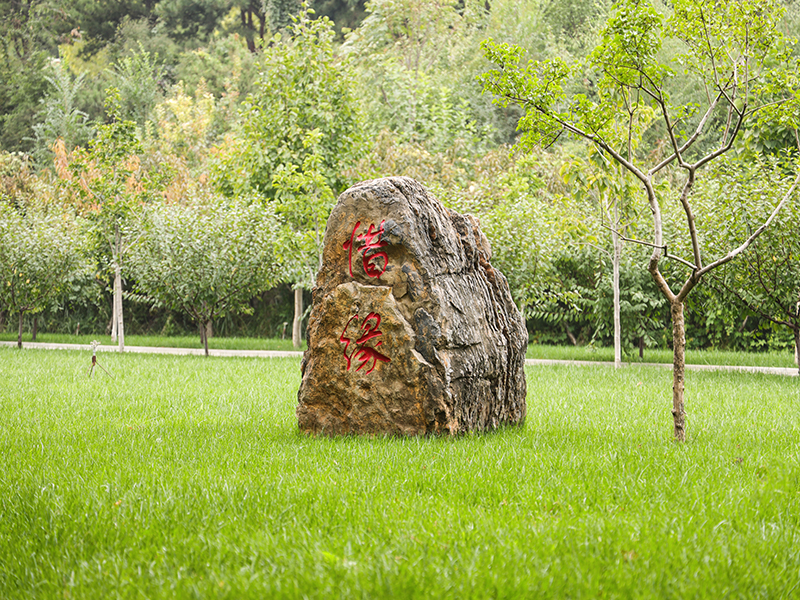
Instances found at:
x=411 y=331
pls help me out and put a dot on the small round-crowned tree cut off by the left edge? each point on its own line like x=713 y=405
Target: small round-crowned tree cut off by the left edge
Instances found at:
x=39 y=254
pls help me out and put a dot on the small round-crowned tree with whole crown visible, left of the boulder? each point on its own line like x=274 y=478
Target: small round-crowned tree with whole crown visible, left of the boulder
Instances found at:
x=208 y=257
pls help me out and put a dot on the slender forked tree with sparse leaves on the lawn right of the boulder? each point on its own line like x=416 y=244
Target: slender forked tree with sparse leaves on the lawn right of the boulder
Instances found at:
x=732 y=51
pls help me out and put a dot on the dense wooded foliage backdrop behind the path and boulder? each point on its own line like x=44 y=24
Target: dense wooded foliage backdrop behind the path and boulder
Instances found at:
x=109 y=116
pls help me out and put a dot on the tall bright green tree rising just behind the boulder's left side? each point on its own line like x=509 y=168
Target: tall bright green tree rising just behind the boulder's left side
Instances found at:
x=303 y=89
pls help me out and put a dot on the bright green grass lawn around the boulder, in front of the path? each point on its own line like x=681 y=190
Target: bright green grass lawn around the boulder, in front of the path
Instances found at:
x=186 y=477
